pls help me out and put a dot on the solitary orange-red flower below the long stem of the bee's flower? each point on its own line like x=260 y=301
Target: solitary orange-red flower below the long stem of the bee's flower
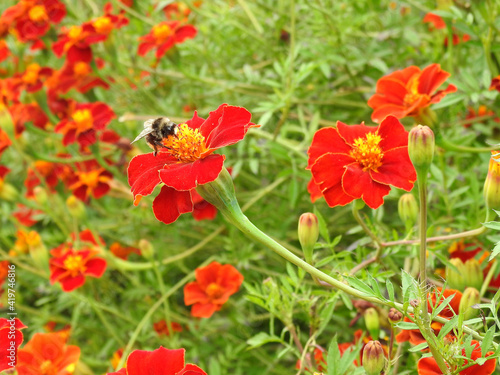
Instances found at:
x=214 y=285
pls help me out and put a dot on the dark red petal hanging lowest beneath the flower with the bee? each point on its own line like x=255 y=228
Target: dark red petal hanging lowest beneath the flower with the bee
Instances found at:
x=170 y=204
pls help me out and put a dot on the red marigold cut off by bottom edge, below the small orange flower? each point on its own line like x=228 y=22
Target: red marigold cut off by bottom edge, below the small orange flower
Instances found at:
x=160 y=361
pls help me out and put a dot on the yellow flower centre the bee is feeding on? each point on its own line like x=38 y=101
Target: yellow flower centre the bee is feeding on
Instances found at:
x=188 y=146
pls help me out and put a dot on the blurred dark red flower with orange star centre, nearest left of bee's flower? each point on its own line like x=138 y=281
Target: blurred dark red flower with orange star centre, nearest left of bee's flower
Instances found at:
x=89 y=180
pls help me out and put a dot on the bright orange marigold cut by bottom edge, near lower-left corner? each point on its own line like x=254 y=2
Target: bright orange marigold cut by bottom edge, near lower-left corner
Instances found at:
x=47 y=353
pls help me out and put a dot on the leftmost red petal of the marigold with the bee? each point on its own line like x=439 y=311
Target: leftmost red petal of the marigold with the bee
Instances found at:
x=143 y=175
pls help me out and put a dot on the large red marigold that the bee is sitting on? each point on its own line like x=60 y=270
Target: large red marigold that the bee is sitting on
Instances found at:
x=187 y=160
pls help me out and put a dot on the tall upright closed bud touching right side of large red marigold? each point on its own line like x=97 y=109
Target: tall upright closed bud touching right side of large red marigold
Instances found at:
x=421 y=147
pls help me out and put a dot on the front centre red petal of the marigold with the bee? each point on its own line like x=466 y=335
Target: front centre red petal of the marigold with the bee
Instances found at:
x=186 y=176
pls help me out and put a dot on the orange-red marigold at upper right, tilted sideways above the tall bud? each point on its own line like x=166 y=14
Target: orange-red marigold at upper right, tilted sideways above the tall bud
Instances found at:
x=407 y=92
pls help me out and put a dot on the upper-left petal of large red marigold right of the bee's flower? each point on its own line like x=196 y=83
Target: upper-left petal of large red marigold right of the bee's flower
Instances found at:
x=325 y=141
